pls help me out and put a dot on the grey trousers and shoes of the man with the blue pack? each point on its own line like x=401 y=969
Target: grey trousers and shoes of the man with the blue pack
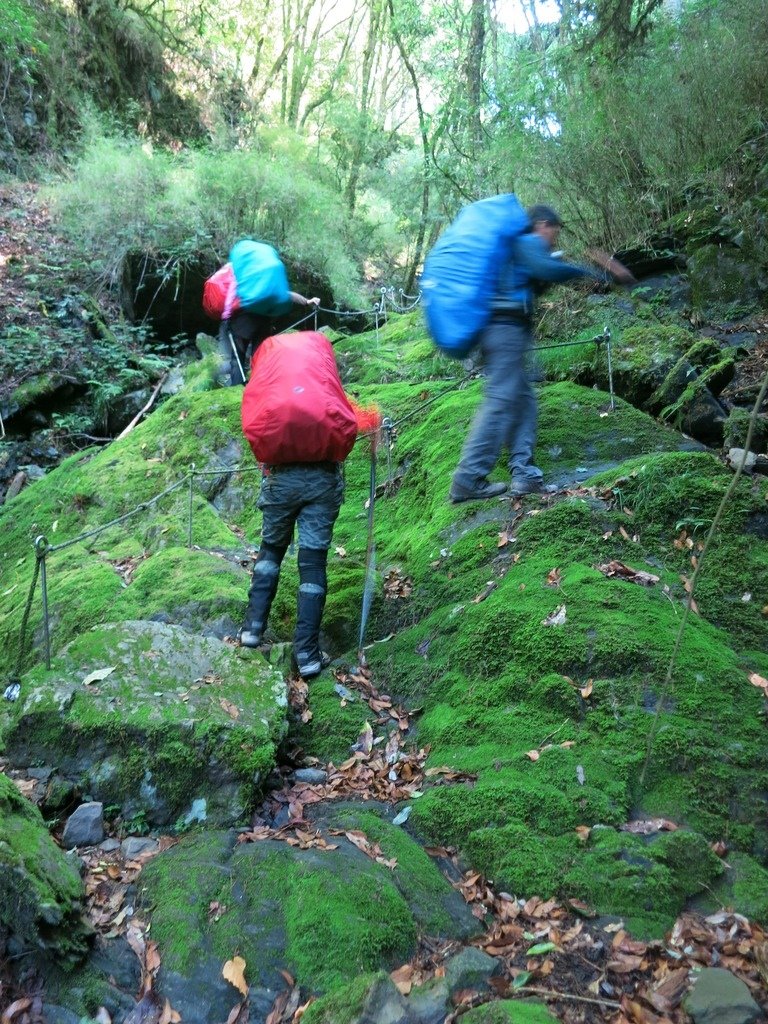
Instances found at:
x=508 y=414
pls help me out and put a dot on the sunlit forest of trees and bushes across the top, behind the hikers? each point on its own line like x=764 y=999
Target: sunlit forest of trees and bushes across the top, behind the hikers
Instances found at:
x=347 y=133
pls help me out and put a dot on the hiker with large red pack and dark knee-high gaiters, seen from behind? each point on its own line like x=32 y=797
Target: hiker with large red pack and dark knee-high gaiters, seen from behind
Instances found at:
x=301 y=426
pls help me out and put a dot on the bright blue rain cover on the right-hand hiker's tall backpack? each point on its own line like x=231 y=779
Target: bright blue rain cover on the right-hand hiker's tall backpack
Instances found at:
x=462 y=271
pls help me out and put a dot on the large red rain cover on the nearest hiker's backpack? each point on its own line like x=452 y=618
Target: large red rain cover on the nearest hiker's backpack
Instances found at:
x=294 y=407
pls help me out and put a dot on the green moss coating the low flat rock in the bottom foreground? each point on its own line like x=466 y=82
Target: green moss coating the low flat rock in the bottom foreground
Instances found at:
x=340 y=918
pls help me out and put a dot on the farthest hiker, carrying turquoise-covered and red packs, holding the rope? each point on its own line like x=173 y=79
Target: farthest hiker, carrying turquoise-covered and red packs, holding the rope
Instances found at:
x=248 y=293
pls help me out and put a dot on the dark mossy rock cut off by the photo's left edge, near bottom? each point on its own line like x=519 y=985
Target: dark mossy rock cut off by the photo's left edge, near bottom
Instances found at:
x=41 y=893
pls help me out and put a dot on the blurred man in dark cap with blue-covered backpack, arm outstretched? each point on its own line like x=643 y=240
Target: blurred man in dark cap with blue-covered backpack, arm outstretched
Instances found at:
x=480 y=289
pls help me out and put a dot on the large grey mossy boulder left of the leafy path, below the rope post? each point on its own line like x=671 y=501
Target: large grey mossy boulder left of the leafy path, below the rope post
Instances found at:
x=181 y=727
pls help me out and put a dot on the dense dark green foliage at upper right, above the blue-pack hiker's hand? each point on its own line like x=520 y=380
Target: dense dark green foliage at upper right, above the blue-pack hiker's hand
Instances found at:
x=687 y=132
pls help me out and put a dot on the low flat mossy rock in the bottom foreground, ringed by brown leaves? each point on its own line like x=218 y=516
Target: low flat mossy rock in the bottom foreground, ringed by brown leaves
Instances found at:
x=326 y=916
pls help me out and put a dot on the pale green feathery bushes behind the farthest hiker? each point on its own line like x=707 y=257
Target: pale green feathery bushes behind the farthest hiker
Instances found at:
x=126 y=195
